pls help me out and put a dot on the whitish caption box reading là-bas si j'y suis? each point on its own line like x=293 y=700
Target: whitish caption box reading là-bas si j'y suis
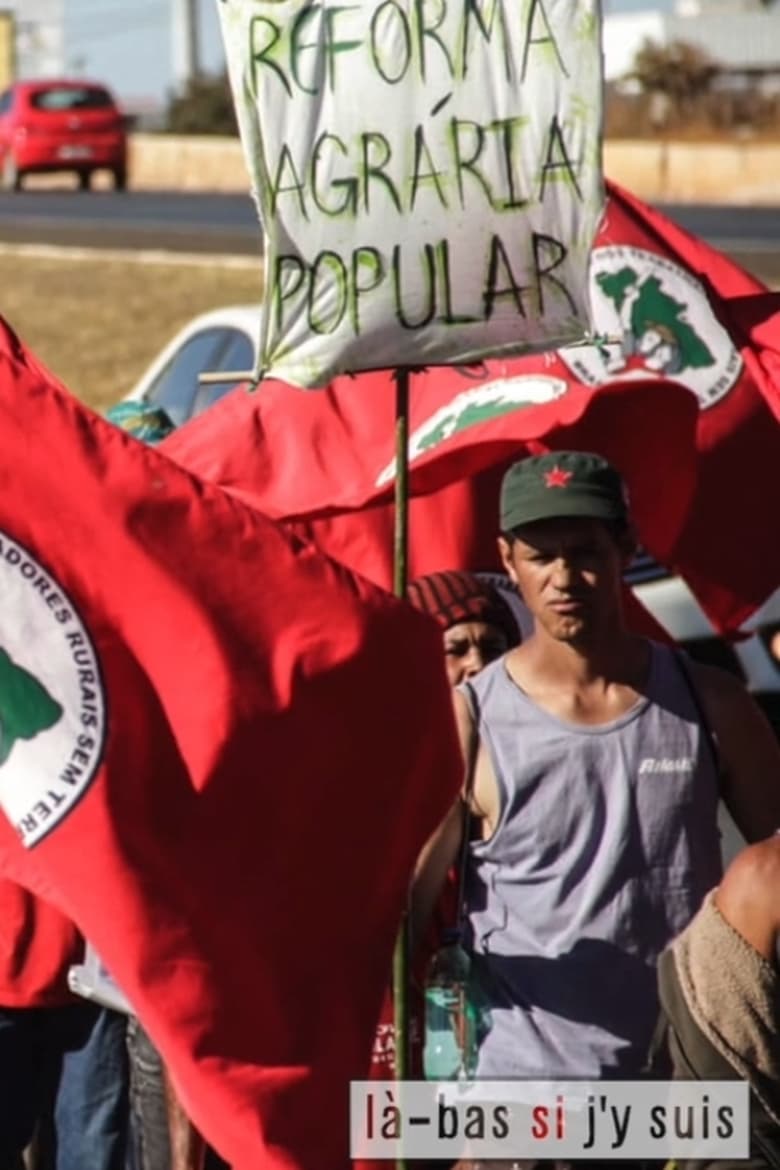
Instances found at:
x=550 y=1120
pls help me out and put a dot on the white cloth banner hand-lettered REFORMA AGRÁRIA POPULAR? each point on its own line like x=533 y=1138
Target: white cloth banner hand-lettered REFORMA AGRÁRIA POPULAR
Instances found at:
x=427 y=174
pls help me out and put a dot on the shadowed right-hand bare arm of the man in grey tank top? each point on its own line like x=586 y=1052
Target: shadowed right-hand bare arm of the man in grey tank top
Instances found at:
x=749 y=751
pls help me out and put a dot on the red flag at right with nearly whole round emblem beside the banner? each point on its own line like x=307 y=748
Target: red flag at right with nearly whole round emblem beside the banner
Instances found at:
x=684 y=311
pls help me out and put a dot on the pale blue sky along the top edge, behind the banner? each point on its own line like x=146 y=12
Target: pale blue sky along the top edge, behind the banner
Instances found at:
x=129 y=45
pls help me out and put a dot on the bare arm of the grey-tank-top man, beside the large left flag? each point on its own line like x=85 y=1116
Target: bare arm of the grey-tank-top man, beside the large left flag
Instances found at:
x=443 y=849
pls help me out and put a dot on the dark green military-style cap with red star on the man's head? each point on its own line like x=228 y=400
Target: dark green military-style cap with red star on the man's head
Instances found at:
x=562 y=484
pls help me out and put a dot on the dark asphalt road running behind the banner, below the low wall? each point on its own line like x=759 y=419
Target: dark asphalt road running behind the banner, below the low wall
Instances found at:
x=227 y=224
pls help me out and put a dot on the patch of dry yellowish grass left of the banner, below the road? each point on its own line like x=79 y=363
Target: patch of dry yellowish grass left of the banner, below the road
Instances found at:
x=98 y=321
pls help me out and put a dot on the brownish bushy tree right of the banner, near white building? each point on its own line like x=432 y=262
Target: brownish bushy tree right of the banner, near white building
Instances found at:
x=675 y=77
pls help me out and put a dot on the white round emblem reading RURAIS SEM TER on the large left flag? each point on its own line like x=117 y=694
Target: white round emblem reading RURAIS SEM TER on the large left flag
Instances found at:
x=52 y=698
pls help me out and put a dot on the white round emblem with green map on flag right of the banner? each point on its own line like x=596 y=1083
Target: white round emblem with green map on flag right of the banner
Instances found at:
x=658 y=322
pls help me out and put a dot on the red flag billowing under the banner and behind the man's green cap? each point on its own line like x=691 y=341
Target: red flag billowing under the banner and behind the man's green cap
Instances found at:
x=305 y=457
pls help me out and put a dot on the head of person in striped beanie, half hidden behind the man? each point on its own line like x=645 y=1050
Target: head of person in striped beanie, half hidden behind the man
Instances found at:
x=477 y=623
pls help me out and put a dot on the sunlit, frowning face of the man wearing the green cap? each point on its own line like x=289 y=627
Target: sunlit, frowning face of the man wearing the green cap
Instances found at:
x=569 y=574
